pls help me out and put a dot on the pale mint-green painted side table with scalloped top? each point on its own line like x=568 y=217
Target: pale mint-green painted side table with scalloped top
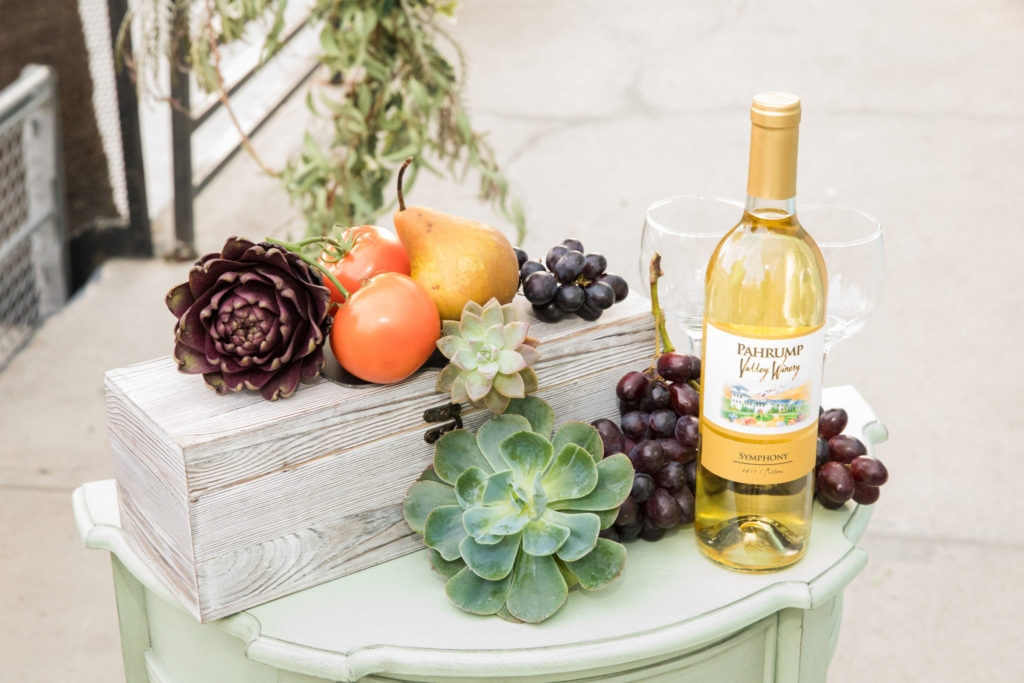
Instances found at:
x=672 y=617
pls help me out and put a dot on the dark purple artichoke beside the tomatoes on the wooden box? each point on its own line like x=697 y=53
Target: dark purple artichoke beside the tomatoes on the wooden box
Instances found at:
x=252 y=317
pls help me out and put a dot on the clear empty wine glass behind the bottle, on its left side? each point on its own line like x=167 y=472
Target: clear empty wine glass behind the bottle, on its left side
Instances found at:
x=685 y=231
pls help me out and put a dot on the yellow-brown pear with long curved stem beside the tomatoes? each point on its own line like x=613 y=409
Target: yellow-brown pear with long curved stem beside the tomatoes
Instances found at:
x=456 y=260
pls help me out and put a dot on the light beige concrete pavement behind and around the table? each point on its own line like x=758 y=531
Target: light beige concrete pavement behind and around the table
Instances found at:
x=912 y=111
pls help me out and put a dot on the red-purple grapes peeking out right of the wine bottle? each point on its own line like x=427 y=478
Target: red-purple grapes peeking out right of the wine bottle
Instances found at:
x=843 y=469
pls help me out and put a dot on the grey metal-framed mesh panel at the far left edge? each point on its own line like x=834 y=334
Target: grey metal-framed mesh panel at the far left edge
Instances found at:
x=34 y=271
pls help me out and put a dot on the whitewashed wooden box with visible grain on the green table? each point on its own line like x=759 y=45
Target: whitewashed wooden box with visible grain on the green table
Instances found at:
x=235 y=501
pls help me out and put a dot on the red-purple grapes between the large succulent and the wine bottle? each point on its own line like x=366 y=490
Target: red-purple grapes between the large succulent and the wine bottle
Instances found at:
x=659 y=433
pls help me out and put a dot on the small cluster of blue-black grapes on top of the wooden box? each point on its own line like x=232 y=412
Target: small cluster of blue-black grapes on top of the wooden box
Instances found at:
x=570 y=282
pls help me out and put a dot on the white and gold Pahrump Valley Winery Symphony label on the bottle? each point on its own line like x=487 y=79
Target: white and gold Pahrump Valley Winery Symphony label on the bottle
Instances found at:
x=760 y=402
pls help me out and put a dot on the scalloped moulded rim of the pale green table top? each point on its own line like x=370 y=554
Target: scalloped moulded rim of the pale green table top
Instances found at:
x=711 y=627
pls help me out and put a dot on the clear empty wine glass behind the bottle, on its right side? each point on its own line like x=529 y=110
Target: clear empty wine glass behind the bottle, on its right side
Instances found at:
x=851 y=245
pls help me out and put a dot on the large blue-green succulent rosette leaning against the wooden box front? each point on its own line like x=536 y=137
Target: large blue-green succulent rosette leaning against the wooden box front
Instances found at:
x=513 y=519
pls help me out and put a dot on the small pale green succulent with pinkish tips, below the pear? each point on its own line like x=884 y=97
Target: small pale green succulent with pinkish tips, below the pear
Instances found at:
x=491 y=357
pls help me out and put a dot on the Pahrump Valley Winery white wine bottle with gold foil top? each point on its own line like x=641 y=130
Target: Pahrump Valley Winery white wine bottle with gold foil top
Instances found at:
x=762 y=358
